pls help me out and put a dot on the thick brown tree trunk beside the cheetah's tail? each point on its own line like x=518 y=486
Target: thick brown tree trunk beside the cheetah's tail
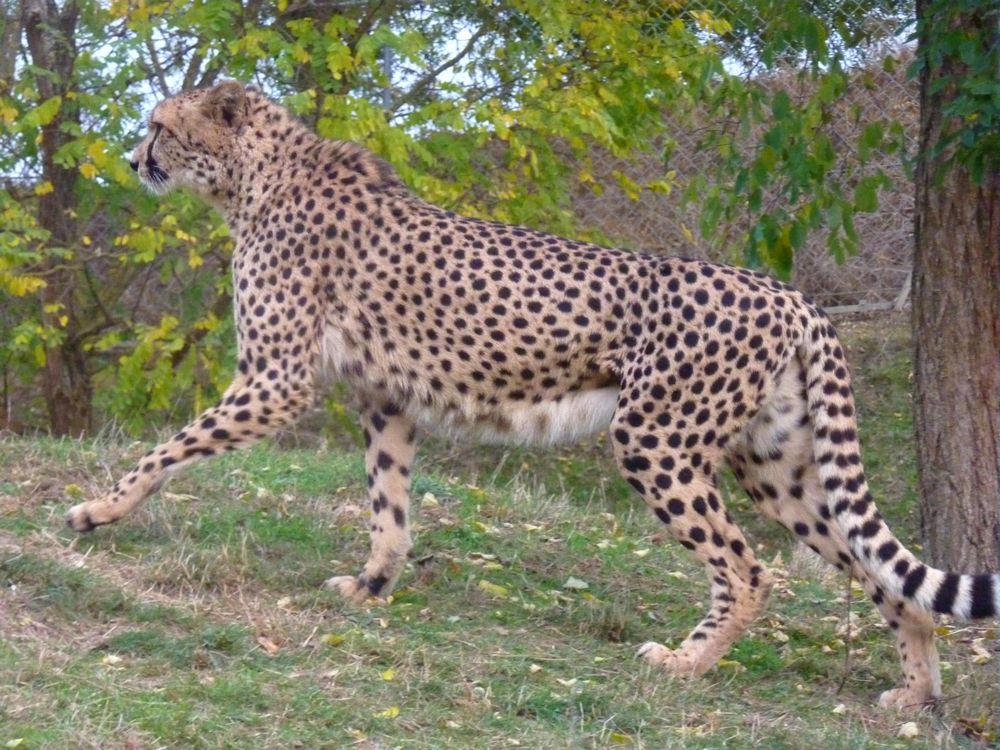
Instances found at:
x=956 y=329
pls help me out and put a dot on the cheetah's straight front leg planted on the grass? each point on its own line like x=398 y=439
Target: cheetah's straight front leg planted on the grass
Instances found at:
x=388 y=456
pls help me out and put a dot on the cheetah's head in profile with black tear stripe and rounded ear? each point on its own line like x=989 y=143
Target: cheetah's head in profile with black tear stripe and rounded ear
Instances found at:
x=192 y=140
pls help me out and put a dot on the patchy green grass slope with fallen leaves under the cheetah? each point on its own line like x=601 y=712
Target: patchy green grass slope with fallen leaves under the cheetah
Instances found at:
x=200 y=621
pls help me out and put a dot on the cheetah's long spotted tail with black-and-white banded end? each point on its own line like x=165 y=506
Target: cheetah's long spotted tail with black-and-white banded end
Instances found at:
x=876 y=549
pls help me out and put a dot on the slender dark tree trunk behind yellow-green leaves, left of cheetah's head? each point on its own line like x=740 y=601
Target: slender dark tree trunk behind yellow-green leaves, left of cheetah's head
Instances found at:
x=51 y=33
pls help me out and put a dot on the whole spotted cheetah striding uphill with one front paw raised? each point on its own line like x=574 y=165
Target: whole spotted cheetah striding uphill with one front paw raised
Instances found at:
x=443 y=322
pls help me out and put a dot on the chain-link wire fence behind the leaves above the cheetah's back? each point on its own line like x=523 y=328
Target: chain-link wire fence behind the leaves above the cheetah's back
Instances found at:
x=878 y=90
